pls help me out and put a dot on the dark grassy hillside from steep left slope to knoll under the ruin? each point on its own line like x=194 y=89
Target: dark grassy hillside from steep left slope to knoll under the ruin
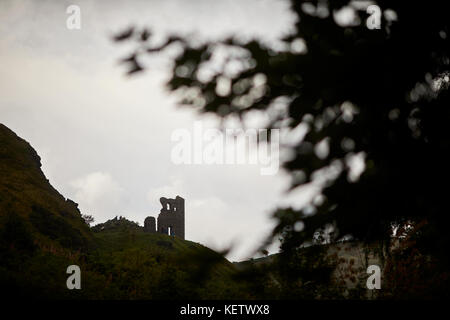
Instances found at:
x=42 y=233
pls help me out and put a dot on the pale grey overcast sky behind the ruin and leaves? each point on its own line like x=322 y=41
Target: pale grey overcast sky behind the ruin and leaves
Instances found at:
x=105 y=139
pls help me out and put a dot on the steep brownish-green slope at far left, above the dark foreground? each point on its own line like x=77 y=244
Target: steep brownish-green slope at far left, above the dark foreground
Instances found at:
x=27 y=199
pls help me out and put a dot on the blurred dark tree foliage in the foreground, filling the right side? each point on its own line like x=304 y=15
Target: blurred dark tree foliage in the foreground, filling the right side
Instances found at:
x=380 y=95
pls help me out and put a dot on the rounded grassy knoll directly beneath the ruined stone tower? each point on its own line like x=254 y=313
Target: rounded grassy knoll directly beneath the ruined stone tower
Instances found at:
x=158 y=266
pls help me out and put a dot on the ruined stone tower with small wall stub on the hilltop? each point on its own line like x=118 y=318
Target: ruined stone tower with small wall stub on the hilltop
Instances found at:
x=170 y=219
